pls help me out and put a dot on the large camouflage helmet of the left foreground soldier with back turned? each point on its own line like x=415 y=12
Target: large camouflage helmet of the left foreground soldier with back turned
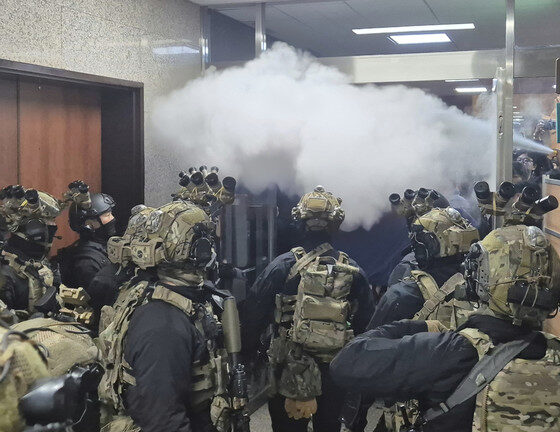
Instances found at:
x=179 y=234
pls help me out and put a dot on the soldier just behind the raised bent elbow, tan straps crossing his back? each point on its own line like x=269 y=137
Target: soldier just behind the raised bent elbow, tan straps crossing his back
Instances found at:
x=440 y=239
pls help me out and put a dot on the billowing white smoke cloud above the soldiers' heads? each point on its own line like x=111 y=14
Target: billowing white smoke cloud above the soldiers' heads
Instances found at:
x=285 y=119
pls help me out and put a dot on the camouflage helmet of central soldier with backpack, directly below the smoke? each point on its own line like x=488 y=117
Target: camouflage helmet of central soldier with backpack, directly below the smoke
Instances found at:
x=319 y=210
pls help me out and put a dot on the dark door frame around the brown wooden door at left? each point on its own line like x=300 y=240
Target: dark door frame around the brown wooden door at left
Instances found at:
x=118 y=98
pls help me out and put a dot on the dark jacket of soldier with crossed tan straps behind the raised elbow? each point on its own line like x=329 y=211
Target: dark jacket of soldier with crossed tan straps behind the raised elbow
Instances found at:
x=403 y=298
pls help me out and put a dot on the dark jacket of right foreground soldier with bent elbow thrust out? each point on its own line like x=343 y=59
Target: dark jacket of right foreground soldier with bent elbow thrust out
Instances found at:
x=402 y=361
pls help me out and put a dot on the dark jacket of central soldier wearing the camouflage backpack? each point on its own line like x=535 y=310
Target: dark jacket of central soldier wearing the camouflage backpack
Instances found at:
x=258 y=308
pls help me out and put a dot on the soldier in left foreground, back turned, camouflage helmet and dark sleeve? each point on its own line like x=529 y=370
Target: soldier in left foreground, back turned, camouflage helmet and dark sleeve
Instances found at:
x=166 y=365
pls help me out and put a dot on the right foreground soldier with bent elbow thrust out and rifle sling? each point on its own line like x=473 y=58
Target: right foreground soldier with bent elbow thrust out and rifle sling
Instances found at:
x=497 y=371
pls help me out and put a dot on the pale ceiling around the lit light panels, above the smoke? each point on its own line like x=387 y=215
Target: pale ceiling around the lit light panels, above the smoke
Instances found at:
x=324 y=27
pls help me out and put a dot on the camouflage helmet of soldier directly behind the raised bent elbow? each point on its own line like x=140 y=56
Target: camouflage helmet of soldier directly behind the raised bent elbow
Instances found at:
x=441 y=233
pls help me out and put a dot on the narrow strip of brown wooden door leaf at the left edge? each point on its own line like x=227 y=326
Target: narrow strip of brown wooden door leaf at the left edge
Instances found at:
x=8 y=132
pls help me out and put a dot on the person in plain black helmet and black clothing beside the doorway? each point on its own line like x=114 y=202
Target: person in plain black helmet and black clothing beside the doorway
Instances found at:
x=85 y=263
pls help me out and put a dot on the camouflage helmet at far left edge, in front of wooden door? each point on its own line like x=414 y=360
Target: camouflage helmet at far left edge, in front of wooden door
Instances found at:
x=29 y=213
